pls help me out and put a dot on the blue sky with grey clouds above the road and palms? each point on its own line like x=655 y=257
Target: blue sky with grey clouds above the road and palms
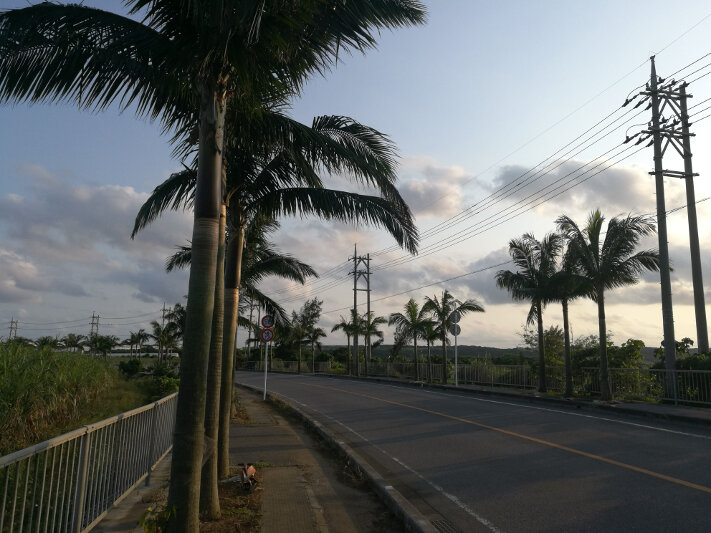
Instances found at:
x=484 y=94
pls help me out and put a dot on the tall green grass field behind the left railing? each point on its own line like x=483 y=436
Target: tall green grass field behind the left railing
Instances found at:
x=44 y=394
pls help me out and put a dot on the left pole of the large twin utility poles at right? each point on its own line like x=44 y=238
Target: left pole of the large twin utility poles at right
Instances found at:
x=665 y=278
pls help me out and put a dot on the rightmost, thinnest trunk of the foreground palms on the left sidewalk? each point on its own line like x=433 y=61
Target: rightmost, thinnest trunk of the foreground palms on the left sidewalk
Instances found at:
x=233 y=275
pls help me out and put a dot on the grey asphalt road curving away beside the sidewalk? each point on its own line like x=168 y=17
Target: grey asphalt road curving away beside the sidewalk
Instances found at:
x=474 y=463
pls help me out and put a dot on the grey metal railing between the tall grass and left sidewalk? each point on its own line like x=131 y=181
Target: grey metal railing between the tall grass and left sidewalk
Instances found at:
x=68 y=483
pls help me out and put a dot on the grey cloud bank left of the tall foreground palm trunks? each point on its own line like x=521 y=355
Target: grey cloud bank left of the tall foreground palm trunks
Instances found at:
x=59 y=238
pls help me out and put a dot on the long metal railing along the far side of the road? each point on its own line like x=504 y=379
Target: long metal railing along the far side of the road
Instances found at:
x=692 y=386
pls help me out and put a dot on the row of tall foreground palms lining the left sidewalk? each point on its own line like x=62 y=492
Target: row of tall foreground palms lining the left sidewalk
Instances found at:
x=216 y=73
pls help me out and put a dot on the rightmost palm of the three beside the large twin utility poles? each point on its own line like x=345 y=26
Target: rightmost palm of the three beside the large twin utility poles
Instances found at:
x=608 y=263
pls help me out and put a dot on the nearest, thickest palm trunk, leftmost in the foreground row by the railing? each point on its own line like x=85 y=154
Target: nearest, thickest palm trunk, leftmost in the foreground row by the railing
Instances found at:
x=184 y=493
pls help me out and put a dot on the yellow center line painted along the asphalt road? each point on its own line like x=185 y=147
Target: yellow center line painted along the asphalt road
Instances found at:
x=644 y=471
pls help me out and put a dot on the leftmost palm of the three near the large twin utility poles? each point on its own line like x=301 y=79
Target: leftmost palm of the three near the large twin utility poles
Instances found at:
x=533 y=281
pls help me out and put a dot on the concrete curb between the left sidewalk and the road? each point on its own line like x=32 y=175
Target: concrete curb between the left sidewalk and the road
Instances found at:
x=413 y=520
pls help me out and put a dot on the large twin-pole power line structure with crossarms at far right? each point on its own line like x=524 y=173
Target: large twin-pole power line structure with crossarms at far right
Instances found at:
x=674 y=131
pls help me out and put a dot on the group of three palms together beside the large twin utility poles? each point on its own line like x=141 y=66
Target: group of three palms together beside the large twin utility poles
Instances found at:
x=578 y=262
